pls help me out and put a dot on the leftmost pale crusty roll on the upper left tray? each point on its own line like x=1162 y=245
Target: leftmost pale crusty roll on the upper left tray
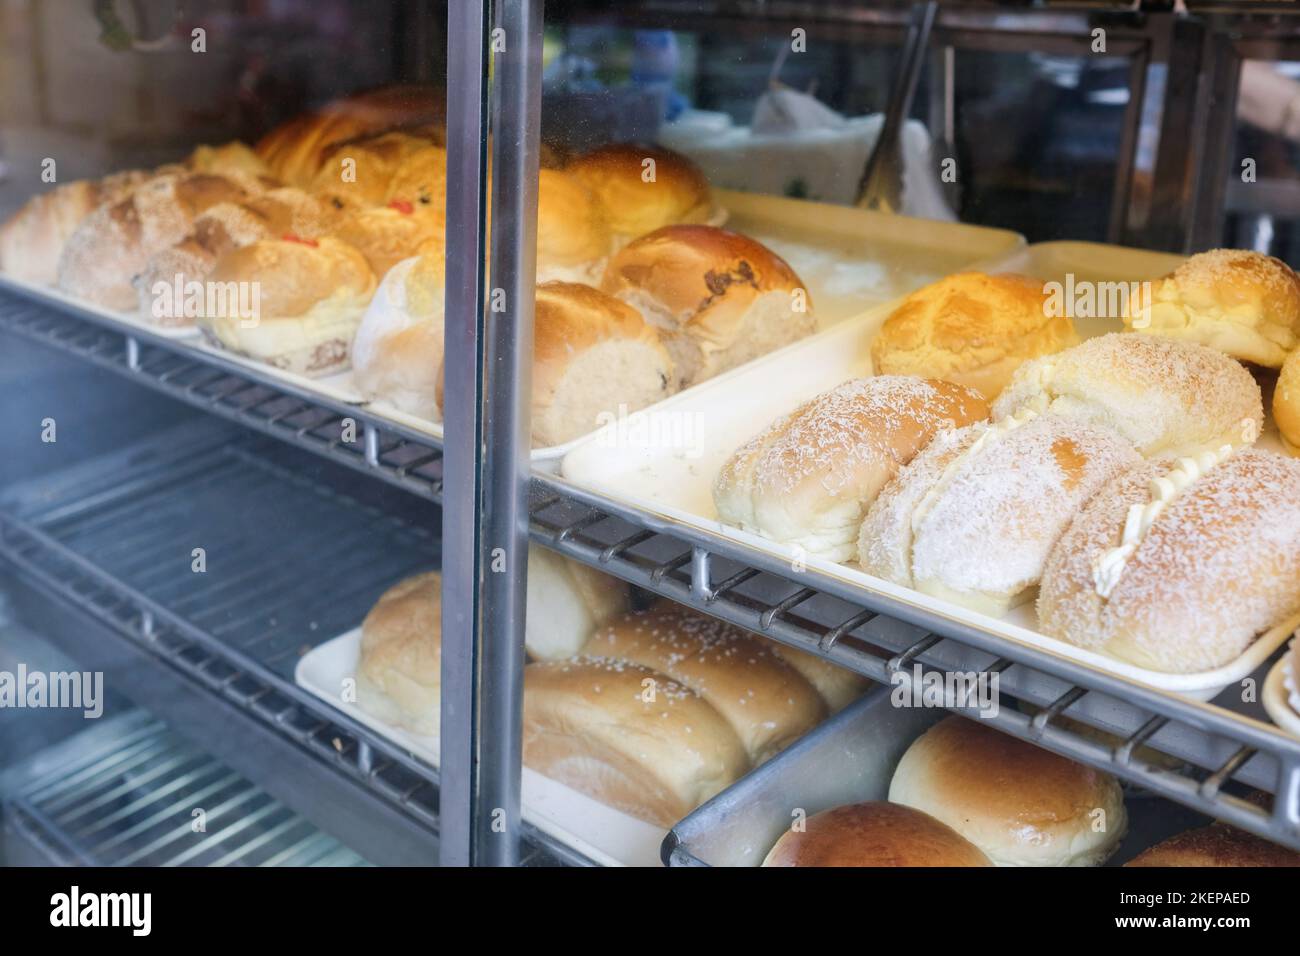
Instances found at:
x=33 y=240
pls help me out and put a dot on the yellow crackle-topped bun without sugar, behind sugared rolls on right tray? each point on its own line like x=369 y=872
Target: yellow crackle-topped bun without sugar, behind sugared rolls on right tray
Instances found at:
x=973 y=330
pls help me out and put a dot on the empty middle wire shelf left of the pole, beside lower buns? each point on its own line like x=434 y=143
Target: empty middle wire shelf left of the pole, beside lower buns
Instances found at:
x=114 y=539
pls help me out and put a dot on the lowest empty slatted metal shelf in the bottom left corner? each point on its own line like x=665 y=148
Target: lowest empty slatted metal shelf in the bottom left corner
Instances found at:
x=127 y=793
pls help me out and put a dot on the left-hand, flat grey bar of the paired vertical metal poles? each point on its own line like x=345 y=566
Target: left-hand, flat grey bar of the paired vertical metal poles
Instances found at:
x=463 y=427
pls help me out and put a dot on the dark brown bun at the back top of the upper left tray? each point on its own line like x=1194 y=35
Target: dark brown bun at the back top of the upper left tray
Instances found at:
x=296 y=152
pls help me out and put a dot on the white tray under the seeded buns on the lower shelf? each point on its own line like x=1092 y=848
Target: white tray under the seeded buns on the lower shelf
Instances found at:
x=600 y=833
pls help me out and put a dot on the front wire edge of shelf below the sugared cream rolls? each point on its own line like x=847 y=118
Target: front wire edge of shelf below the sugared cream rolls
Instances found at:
x=1191 y=752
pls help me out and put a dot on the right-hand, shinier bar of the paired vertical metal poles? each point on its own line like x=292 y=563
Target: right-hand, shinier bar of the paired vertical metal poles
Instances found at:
x=517 y=126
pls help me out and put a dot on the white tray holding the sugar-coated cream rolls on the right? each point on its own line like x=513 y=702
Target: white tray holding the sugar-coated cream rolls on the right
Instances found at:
x=648 y=465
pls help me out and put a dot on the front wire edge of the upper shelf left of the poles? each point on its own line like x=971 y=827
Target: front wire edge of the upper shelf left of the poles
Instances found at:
x=240 y=392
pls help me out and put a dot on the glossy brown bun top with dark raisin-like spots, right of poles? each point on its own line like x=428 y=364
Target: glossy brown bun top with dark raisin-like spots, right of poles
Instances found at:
x=687 y=270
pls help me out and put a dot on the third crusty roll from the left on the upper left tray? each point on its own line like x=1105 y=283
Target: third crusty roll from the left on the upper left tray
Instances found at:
x=223 y=228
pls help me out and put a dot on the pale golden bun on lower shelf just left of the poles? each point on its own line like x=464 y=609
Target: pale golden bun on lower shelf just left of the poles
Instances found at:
x=400 y=674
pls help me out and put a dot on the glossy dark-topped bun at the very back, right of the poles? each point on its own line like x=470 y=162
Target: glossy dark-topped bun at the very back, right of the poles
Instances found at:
x=617 y=175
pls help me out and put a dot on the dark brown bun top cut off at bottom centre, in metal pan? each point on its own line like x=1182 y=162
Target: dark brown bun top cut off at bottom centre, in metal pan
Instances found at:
x=874 y=834
